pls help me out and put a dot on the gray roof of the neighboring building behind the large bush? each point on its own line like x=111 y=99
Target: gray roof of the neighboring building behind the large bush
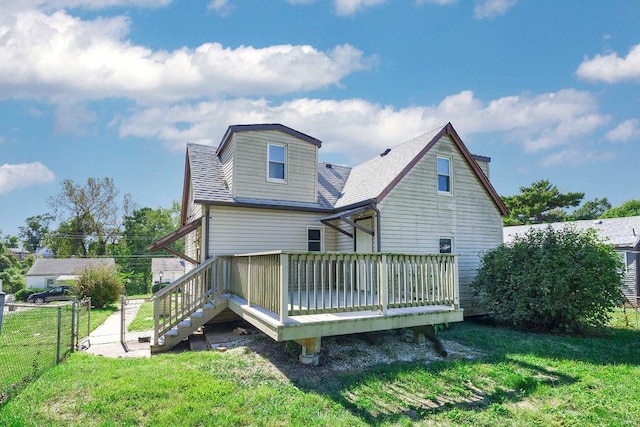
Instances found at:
x=620 y=232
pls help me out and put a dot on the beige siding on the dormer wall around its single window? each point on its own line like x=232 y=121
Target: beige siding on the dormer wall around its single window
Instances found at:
x=250 y=167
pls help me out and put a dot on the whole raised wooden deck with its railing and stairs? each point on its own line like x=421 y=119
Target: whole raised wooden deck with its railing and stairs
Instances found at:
x=299 y=296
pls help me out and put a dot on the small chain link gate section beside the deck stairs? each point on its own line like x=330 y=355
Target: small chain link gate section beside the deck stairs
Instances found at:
x=136 y=323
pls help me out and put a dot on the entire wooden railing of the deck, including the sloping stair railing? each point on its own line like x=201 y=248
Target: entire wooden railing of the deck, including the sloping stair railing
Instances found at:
x=301 y=283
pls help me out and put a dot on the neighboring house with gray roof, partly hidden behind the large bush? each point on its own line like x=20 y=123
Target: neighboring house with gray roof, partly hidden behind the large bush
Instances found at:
x=622 y=233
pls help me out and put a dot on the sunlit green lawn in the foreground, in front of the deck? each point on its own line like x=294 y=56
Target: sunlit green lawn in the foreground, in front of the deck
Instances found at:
x=524 y=379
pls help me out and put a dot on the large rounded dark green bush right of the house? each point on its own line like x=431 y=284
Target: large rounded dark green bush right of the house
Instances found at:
x=551 y=280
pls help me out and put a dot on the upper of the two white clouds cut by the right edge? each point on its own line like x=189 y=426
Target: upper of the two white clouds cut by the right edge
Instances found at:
x=612 y=68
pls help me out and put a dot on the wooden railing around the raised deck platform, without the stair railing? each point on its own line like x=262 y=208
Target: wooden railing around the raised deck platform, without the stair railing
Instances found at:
x=295 y=283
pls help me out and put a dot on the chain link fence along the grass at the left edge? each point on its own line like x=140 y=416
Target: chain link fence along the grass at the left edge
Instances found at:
x=34 y=338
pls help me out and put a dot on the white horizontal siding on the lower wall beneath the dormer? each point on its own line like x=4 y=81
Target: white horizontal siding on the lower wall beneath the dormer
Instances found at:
x=245 y=230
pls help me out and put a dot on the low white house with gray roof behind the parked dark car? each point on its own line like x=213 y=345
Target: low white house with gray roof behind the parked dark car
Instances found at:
x=46 y=271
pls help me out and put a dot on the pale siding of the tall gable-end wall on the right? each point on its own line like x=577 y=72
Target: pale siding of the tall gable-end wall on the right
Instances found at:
x=414 y=215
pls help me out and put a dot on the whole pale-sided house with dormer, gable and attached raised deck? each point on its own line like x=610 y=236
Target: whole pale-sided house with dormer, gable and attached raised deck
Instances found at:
x=288 y=237
